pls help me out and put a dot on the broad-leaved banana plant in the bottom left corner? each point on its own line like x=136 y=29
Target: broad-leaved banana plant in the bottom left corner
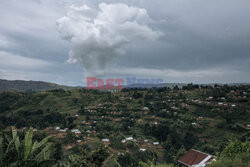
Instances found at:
x=14 y=152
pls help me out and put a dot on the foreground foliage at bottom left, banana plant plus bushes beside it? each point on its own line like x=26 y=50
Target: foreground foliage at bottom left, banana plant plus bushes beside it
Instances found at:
x=26 y=153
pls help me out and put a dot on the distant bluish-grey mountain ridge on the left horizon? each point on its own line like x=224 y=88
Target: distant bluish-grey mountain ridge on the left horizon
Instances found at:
x=20 y=85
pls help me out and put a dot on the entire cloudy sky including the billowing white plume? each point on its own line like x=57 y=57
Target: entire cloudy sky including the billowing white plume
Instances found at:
x=180 y=41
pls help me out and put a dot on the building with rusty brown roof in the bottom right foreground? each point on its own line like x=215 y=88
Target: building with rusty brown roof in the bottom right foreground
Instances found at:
x=195 y=158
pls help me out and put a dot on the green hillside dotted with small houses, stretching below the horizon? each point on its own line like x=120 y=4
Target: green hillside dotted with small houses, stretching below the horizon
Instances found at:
x=131 y=127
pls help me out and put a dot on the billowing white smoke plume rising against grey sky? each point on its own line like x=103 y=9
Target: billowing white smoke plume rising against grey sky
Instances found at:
x=98 y=36
